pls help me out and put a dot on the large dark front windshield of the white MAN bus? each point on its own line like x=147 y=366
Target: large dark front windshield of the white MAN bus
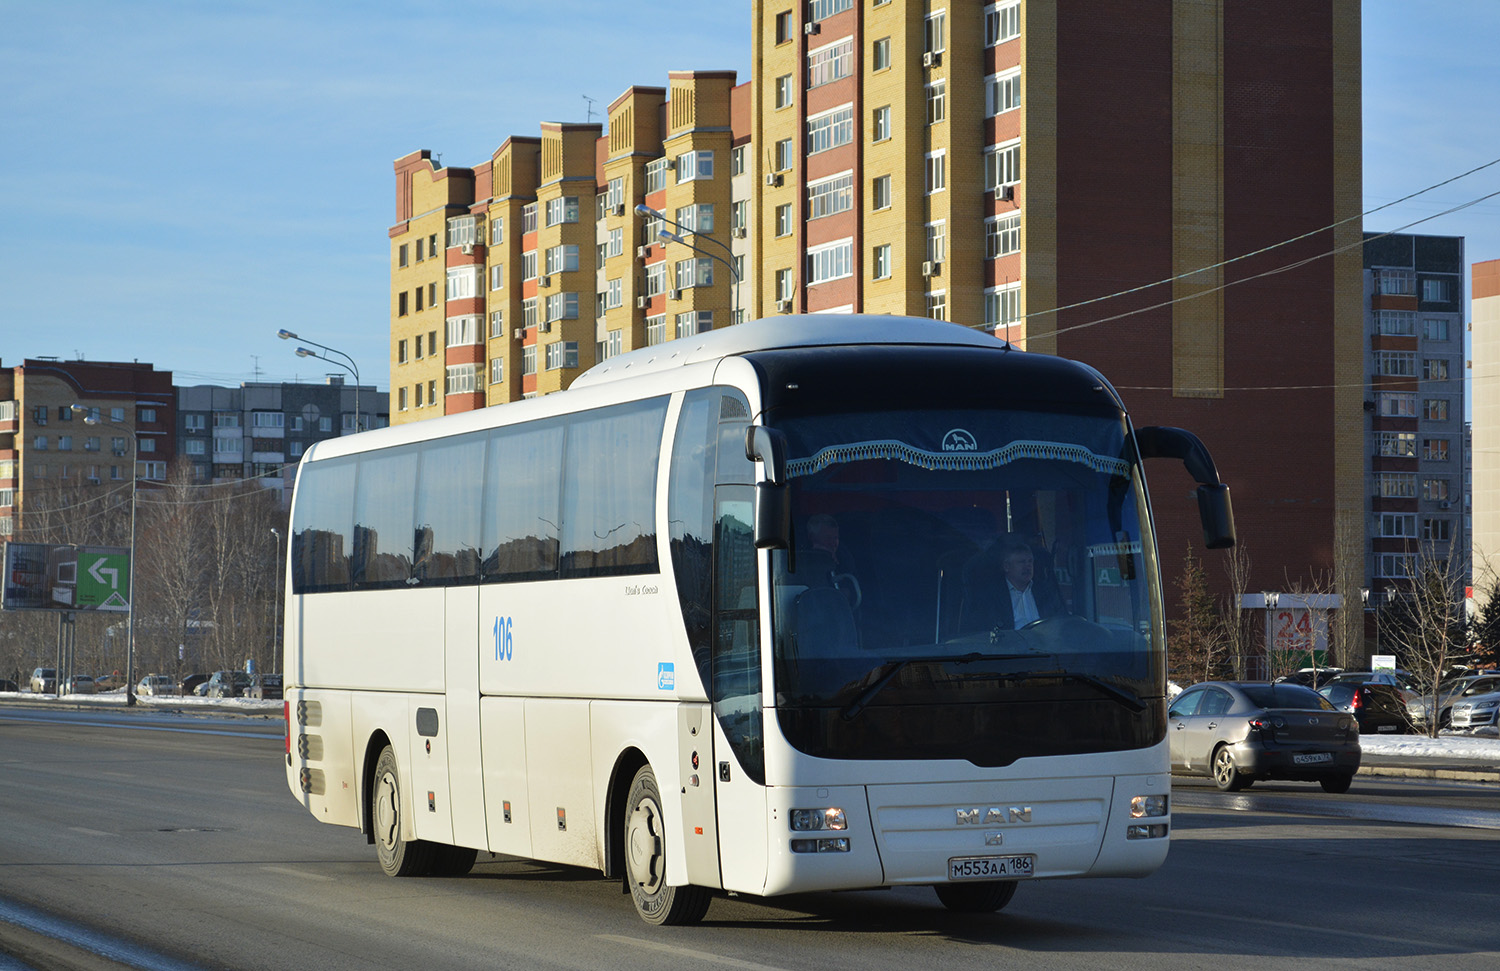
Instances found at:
x=970 y=585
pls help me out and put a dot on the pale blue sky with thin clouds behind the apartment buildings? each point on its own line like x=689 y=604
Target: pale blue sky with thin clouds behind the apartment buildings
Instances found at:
x=184 y=178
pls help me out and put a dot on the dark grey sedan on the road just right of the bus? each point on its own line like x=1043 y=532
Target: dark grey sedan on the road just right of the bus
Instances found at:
x=1241 y=732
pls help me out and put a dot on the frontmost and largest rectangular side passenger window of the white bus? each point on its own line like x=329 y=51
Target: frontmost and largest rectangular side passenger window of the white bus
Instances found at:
x=610 y=492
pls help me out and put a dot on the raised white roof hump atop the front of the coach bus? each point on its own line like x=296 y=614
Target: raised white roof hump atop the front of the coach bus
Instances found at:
x=787 y=331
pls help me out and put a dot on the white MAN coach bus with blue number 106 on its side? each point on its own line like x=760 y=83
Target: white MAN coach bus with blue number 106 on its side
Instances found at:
x=736 y=613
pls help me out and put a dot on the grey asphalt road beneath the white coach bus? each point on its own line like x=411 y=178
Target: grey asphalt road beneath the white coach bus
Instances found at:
x=176 y=846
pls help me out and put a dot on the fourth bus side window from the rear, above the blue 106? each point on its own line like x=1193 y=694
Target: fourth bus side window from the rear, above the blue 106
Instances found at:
x=523 y=476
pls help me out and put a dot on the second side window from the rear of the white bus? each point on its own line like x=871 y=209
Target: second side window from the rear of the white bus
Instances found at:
x=385 y=516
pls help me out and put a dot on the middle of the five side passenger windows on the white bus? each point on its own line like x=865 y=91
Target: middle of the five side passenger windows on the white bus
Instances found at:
x=451 y=478
